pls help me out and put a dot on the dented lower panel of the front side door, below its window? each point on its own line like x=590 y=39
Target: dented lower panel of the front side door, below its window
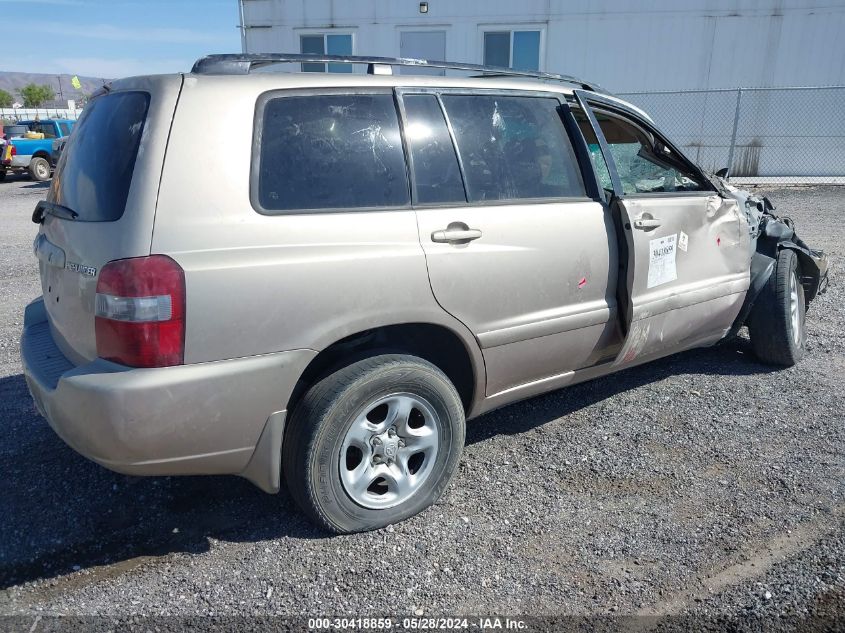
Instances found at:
x=687 y=277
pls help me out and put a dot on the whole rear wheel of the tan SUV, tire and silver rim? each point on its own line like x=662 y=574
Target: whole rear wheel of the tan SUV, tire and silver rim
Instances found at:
x=373 y=443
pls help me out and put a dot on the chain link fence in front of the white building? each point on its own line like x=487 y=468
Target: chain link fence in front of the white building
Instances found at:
x=762 y=135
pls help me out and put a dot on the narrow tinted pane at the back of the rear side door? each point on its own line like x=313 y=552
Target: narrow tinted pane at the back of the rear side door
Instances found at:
x=436 y=173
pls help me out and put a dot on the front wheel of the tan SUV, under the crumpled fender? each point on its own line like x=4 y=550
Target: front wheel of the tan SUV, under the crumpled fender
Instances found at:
x=777 y=324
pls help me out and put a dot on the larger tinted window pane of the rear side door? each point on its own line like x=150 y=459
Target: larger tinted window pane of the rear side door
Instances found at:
x=513 y=147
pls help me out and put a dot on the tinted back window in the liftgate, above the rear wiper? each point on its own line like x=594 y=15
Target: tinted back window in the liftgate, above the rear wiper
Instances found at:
x=95 y=171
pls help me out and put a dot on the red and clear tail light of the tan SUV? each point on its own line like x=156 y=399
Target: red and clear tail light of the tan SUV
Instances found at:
x=140 y=312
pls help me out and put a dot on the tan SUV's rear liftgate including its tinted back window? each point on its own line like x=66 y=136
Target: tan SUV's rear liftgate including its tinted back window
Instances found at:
x=108 y=174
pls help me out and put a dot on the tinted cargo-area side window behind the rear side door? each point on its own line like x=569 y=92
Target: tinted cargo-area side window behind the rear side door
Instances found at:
x=331 y=152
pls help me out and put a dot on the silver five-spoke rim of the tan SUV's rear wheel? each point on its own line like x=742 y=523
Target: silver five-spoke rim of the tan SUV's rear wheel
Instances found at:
x=389 y=450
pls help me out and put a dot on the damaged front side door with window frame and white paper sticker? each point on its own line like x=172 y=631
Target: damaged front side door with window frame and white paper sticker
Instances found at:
x=685 y=247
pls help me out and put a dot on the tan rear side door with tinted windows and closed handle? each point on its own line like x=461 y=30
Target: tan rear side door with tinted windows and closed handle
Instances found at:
x=515 y=248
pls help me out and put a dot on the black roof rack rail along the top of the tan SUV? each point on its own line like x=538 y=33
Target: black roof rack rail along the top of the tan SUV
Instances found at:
x=243 y=63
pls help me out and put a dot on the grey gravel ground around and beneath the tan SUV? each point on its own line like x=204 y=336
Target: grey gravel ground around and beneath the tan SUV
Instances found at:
x=705 y=484
